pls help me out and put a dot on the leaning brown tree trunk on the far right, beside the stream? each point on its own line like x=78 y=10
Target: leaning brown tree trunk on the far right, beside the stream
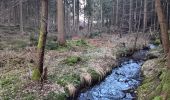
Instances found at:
x=163 y=26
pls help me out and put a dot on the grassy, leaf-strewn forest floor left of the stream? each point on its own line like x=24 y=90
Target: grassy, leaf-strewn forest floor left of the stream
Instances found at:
x=78 y=63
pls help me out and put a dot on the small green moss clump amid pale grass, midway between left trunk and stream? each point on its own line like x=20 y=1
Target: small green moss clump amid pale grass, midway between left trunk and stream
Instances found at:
x=71 y=60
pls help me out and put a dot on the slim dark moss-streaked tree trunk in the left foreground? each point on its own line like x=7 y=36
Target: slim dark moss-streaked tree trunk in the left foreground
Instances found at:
x=42 y=38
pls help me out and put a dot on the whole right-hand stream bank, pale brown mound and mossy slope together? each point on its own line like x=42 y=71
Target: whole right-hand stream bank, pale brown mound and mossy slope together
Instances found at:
x=156 y=78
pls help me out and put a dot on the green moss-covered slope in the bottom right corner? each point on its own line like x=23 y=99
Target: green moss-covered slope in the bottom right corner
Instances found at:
x=157 y=86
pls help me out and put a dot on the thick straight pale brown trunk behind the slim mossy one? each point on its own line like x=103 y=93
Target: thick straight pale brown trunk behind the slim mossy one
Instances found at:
x=60 y=20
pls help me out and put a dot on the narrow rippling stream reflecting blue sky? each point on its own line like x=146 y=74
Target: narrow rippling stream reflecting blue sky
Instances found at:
x=121 y=83
